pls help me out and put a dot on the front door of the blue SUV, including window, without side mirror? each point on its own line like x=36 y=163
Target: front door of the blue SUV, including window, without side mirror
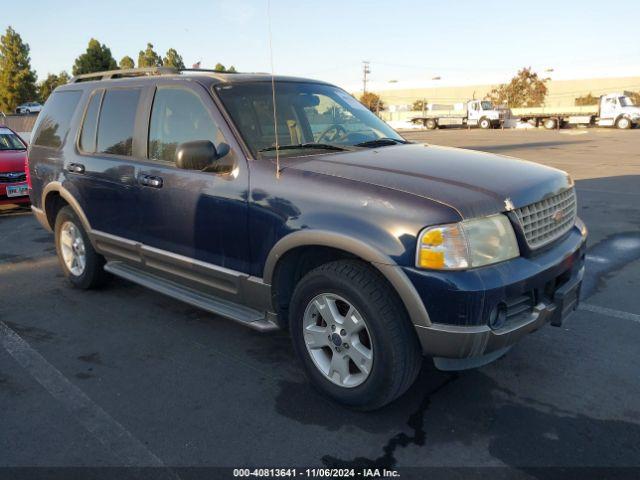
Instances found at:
x=192 y=214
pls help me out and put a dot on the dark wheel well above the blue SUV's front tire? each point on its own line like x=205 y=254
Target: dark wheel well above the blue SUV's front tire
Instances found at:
x=294 y=265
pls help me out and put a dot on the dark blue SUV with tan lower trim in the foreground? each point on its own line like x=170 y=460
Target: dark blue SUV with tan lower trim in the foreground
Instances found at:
x=284 y=203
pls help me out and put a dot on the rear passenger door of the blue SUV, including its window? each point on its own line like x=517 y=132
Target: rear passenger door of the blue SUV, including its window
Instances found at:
x=104 y=170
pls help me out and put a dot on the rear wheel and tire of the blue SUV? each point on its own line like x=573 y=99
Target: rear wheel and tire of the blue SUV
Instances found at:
x=89 y=275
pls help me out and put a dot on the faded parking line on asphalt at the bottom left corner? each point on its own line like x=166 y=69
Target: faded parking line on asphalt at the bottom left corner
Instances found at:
x=99 y=423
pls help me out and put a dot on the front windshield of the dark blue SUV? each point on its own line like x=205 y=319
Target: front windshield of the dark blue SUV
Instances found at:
x=311 y=118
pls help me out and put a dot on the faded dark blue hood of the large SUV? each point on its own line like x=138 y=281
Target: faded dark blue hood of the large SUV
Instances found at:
x=473 y=183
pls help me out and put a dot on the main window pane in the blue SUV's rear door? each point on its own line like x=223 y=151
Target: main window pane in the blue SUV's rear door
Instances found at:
x=117 y=121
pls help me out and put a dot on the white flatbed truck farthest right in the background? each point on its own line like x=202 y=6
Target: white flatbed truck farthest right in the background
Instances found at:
x=612 y=110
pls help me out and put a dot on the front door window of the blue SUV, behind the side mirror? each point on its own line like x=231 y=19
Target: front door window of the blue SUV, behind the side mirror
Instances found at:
x=178 y=116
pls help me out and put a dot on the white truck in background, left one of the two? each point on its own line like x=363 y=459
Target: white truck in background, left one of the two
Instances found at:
x=474 y=113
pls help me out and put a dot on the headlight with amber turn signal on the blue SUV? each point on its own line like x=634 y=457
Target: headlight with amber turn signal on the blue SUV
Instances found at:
x=467 y=244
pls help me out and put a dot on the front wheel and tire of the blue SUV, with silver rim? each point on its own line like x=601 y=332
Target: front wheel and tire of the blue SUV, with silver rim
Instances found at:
x=394 y=349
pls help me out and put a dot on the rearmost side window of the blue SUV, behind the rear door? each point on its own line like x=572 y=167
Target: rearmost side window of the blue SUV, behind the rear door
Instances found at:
x=54 y=122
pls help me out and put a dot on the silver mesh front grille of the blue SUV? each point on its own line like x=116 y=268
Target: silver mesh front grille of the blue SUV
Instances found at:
x=545 y=221
